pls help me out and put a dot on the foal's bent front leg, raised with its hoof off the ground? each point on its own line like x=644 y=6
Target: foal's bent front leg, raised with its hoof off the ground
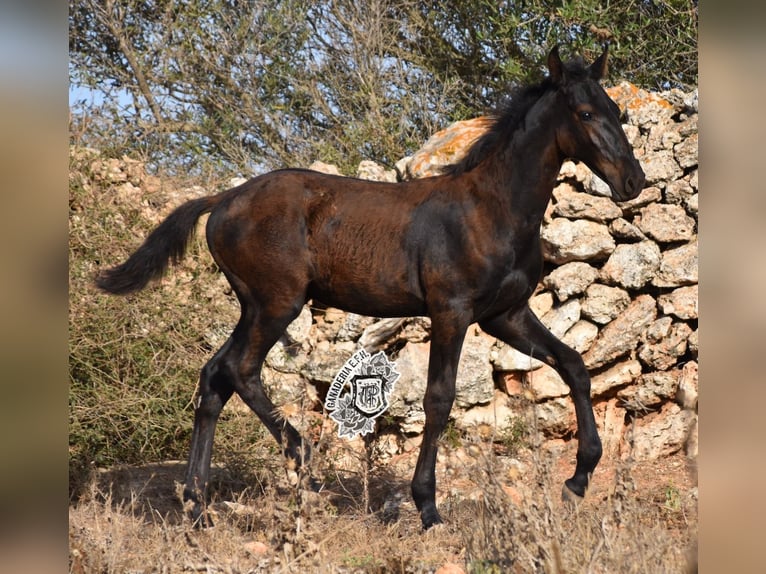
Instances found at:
x=523 y=330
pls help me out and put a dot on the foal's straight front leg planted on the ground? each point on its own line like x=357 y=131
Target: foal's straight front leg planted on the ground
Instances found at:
x=446 y=343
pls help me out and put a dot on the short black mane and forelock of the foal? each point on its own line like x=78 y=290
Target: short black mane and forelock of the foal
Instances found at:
x=508 y=116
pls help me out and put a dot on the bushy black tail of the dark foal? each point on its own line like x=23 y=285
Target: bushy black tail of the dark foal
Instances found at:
x=167 y=242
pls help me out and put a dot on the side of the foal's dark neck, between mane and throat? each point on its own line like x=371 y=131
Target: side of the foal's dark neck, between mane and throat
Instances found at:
x=528 y=167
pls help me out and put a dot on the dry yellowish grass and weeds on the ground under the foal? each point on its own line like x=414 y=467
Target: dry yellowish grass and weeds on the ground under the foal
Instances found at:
x=131 y=519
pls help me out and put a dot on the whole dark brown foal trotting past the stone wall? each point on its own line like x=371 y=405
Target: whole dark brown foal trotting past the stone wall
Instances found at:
x=462 y=247
